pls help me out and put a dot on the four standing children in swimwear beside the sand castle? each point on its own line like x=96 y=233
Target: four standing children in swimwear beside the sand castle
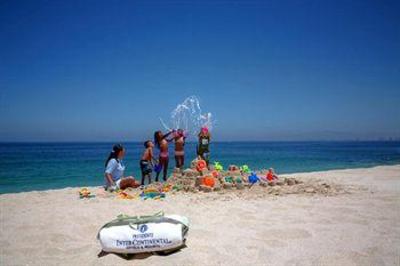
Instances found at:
x=148 y=162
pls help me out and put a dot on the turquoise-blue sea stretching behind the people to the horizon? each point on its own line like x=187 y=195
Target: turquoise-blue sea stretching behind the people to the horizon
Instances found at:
x=40 y=166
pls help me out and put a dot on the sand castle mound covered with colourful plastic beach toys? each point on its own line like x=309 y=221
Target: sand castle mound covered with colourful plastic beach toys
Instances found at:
x=235 y=178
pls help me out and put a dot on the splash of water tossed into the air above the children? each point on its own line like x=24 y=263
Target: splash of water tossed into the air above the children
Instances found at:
x=189 y=117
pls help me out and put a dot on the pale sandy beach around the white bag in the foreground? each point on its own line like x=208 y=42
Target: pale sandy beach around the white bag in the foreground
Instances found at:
x=360 y=226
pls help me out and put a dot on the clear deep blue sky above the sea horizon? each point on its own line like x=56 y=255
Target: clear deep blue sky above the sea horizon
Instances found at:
x=266 y=70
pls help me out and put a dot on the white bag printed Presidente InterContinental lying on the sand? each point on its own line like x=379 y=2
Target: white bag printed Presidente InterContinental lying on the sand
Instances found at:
x=140 y=234
